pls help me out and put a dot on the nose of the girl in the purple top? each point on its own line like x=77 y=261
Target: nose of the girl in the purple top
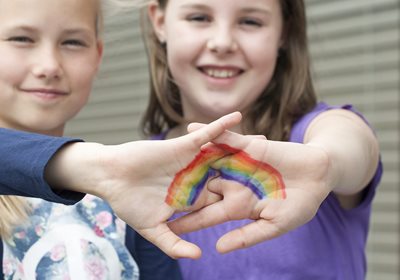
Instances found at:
x=222 y=40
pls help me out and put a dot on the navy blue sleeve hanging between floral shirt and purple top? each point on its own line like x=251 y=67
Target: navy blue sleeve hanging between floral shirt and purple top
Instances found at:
x=153 y=263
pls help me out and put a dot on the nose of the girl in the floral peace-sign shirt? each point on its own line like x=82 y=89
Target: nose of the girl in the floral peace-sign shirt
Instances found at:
x=47 y=64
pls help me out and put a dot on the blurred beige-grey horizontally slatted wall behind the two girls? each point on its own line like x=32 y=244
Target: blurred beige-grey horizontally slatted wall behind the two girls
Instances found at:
x=355 y=47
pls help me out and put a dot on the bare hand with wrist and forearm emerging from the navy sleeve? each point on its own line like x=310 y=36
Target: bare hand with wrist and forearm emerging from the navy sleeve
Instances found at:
x=134 y=178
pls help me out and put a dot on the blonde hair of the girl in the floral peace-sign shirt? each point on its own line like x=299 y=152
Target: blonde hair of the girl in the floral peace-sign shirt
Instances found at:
x=15 y=209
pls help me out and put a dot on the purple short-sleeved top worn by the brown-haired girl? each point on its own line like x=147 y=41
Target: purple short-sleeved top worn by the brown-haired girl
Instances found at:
x=330 y=246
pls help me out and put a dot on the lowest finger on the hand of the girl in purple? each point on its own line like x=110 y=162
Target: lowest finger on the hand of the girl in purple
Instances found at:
x=247 y=236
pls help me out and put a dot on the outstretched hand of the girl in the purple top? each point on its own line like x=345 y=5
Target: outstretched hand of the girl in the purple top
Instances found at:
x=304 y=170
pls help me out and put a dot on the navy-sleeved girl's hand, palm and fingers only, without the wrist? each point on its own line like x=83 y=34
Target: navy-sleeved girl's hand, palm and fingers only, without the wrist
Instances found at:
x=138 y=176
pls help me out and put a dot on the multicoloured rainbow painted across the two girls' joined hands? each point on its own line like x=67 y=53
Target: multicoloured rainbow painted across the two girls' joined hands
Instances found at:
x=262 y=179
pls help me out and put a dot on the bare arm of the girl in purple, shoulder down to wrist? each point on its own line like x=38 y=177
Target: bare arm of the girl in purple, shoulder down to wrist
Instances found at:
x=351 y=147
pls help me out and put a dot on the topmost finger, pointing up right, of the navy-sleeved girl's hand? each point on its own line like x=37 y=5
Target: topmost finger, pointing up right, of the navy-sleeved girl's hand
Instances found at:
x=214 y=129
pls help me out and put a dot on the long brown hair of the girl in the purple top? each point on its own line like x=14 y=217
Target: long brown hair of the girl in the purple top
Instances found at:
x=288 y=96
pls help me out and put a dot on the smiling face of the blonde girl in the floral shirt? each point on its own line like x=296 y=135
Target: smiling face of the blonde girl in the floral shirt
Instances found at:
x=49 y=55
